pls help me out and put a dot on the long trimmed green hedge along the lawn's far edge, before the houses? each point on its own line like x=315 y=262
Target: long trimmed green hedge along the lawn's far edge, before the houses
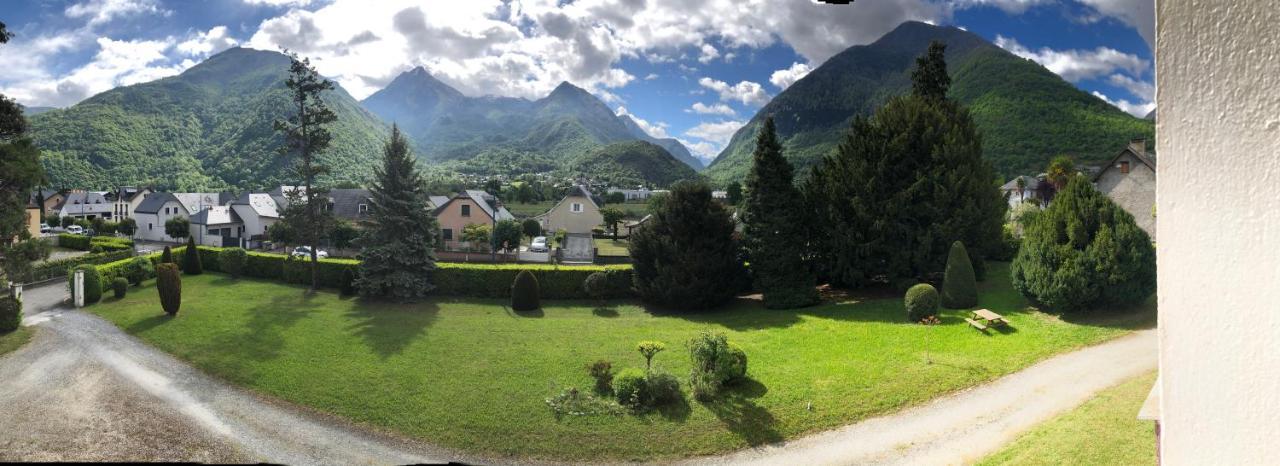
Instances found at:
x=491 y=281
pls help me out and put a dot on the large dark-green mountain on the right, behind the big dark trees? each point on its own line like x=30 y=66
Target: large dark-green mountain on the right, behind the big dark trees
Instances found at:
x=1027 y=115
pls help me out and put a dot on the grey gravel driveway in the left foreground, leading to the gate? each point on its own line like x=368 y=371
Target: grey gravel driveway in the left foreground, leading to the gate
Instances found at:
x=85 y=391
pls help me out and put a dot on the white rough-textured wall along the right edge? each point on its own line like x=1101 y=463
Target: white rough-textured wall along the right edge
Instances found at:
x=1219 y=220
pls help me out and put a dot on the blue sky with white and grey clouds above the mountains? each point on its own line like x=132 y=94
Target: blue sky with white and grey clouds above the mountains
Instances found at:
x=696 y=71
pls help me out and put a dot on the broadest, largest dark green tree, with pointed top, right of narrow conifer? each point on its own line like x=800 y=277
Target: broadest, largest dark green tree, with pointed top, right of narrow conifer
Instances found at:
x=902 y=188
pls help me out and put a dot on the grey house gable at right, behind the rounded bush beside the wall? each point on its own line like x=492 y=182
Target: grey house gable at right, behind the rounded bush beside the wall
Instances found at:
x=1130 y=180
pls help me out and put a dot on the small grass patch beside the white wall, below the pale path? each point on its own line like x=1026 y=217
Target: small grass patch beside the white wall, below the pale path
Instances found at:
x=1105 y=431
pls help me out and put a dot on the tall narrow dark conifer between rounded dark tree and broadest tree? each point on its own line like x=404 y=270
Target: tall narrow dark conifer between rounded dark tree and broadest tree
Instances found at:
x=775 y=229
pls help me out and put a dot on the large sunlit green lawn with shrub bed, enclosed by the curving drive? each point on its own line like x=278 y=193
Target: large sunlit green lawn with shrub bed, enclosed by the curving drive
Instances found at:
x=472 y=374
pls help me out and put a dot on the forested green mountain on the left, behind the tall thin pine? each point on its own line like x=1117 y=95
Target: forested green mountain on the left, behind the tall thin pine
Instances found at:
x=208 y=129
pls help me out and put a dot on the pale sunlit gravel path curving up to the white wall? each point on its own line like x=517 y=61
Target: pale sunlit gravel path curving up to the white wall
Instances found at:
x=967 y=427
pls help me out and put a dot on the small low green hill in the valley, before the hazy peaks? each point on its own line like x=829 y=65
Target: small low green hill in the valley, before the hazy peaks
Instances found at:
x=633 y=163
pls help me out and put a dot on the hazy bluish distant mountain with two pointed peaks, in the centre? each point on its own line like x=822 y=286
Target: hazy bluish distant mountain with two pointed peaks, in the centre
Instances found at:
x=484 y=135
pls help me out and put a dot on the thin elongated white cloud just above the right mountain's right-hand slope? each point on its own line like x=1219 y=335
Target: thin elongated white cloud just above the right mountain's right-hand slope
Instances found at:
x=1078 y=65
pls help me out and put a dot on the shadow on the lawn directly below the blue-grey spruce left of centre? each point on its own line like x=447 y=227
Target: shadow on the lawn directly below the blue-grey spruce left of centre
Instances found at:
x=390 y=328
